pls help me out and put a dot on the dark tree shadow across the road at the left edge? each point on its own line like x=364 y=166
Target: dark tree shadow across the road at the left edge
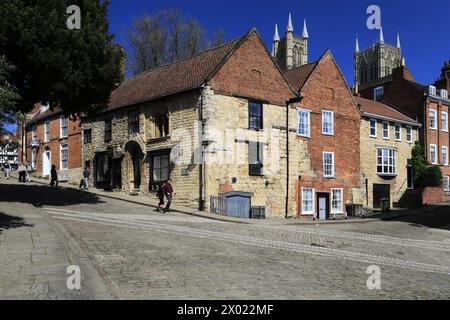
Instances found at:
x=39 y=196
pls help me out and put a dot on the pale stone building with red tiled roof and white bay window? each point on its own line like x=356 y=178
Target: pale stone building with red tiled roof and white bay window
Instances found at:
x=387 y=140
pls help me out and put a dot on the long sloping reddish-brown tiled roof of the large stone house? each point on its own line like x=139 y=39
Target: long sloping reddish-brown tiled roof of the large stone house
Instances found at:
x=176 y=77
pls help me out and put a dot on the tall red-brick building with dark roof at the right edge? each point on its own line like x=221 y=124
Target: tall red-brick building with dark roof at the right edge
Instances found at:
x=429 y=105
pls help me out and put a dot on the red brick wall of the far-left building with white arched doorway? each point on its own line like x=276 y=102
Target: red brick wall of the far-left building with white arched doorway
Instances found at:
x=73 y=141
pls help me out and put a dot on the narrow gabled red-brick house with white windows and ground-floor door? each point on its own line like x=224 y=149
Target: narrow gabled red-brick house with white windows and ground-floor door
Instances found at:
x=327 y=127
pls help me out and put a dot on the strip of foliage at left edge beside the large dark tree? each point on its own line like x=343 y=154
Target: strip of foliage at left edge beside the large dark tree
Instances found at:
x=8 y=94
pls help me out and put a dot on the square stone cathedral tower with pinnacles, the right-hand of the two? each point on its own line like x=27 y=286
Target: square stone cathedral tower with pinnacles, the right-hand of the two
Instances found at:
x=376 y=63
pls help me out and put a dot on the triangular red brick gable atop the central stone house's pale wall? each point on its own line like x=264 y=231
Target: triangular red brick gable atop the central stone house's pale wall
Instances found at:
x=251 y=72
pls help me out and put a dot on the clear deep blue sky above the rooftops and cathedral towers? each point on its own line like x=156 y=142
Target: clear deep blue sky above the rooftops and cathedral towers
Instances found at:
x=423 y=25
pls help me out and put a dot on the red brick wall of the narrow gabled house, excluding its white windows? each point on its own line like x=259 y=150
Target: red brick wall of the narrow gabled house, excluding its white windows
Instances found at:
x=327 y=90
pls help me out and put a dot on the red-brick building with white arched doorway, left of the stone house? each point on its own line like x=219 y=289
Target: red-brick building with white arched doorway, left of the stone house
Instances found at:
x=52 y=138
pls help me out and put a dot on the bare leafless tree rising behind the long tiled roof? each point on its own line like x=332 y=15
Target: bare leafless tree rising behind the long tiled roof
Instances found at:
x=165 y=37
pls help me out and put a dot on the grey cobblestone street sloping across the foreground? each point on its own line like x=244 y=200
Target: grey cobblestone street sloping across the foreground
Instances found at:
x=136 y=253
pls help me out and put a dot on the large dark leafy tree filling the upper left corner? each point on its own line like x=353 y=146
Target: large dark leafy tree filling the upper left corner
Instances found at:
x=73 y=69
